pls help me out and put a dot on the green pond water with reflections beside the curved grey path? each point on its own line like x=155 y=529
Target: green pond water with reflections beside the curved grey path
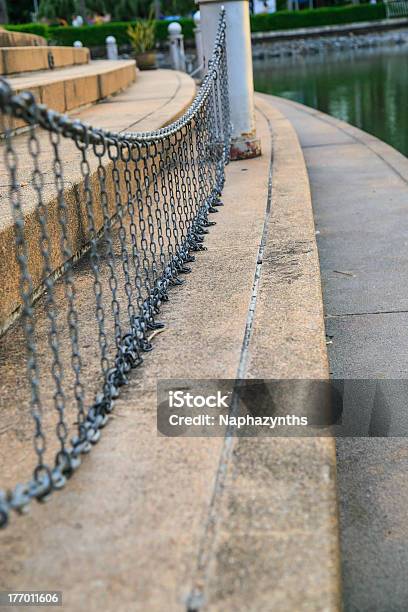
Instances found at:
x=368 y=88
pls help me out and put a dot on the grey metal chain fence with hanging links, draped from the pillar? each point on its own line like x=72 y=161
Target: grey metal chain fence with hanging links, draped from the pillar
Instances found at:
x=146 y=198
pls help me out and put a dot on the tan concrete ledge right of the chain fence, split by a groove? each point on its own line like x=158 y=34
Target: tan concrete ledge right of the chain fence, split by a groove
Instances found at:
x=152 y=523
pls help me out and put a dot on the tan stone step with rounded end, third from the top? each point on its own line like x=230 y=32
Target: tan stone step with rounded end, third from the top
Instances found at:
x=75 y=86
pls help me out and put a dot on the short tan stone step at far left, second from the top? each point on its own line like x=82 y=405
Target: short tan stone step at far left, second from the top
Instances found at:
x=22 y=59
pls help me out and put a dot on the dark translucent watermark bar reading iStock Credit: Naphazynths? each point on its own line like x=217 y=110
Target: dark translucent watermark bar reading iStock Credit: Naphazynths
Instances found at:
x=282 y=408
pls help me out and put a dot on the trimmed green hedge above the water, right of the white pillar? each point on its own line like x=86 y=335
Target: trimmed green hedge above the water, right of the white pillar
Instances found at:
x=285 y=20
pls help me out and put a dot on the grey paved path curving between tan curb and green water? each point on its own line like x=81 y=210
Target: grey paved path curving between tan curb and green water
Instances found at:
x=360 y=197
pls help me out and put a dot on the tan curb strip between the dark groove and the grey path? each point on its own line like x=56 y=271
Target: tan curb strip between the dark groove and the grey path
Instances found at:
x=279 y=518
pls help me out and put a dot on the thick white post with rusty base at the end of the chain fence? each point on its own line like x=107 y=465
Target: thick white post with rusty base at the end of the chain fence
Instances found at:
x=244 y=144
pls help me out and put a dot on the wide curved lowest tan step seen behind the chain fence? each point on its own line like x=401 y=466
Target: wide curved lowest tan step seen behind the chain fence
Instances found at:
x=144 y=106
